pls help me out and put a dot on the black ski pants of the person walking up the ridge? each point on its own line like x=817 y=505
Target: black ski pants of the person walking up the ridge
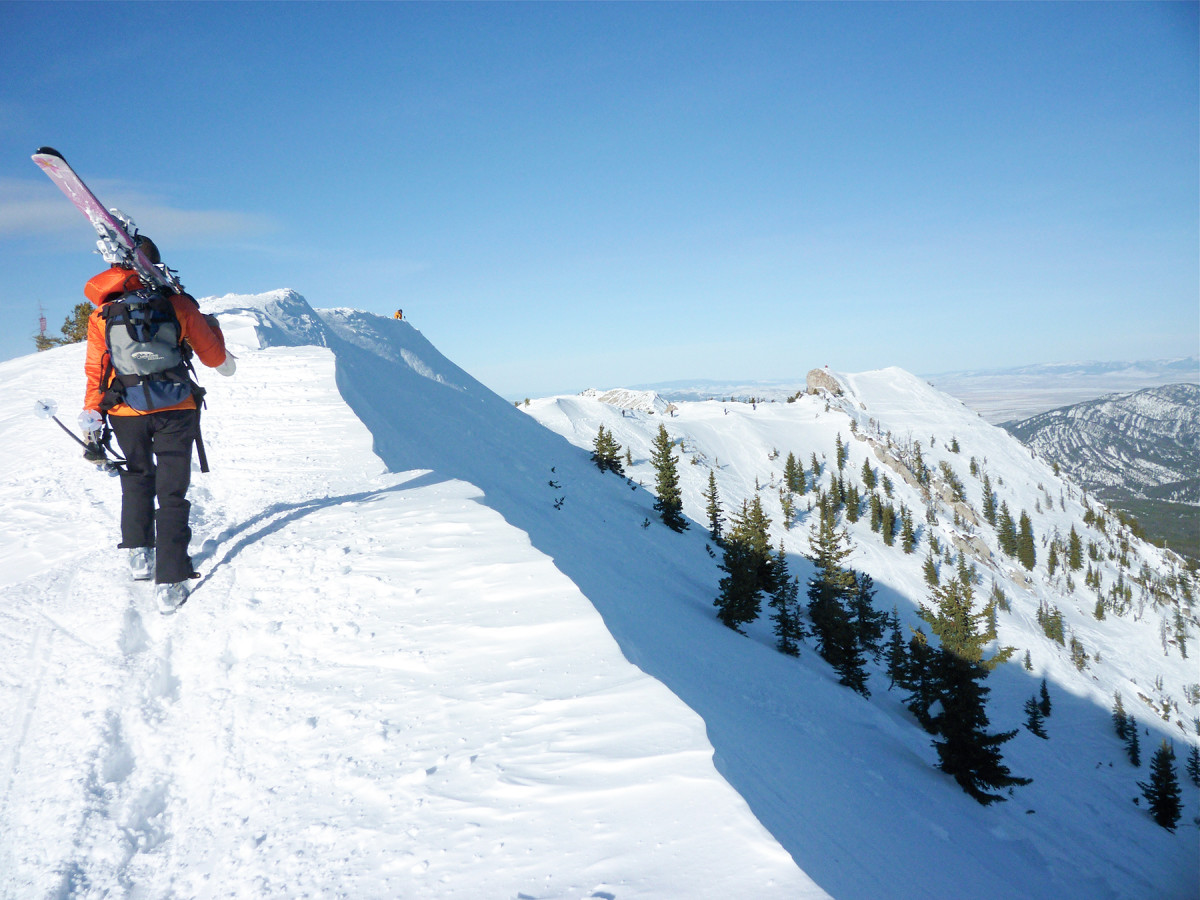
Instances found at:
x=158 y=451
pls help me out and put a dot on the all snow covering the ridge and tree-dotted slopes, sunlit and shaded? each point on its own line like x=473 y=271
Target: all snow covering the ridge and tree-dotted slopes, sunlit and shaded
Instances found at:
x=407 y=669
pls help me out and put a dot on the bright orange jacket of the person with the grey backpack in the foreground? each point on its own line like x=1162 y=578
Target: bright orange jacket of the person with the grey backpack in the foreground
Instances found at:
x=207 y=341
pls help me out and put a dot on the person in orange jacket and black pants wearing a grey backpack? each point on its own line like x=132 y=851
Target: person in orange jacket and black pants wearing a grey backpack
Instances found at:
x=140 y=341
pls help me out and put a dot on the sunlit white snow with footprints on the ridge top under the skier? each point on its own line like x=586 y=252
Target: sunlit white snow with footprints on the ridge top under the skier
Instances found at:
x=379 y=688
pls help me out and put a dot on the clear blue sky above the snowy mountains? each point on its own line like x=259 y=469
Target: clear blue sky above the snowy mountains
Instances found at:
x=566 y=196
